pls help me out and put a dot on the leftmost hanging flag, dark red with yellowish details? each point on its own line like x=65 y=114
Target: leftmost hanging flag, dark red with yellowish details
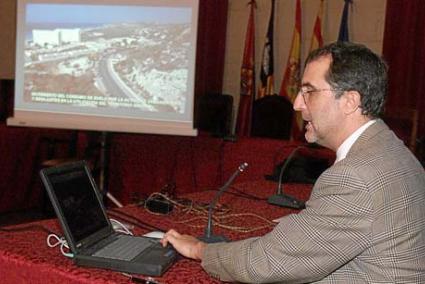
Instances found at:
x=247 y=84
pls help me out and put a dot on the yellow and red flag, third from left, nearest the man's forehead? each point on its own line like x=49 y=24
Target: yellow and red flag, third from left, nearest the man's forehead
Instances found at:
x=291 y=78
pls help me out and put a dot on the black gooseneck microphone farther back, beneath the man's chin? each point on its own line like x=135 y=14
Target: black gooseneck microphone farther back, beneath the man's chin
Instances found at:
x=280 y=198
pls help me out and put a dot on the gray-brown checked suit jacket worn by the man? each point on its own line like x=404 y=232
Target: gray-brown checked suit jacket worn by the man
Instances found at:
x=364 y=223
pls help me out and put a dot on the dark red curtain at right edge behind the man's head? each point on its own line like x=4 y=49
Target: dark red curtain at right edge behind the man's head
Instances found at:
x=404 y=50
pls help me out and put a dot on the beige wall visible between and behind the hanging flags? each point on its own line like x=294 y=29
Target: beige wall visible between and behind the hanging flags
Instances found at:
x=366 y=25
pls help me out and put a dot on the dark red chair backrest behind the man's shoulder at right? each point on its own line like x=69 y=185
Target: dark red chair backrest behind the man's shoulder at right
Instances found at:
x=404 y=123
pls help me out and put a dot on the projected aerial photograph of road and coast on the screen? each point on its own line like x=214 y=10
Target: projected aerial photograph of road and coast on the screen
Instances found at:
x=103 y=56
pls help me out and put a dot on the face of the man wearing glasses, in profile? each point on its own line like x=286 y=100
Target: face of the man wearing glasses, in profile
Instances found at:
x=318 y=105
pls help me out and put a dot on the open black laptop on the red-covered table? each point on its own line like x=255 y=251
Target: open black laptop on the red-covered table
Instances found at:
x=88 y=231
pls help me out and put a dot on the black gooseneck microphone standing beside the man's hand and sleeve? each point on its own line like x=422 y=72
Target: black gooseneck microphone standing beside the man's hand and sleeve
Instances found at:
x=208 y=236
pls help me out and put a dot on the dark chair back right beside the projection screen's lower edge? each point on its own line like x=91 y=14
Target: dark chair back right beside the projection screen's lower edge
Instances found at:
x=214 y=114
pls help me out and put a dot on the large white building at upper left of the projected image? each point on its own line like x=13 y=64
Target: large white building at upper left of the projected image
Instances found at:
x=56 y=36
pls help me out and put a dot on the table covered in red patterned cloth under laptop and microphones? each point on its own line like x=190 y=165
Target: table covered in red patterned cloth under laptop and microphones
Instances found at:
x=25 y=256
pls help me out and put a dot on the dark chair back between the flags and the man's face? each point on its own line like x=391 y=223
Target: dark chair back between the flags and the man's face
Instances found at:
x=272 y=117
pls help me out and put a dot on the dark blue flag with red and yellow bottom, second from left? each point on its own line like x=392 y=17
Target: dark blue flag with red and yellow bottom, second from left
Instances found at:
x=266 y=73
